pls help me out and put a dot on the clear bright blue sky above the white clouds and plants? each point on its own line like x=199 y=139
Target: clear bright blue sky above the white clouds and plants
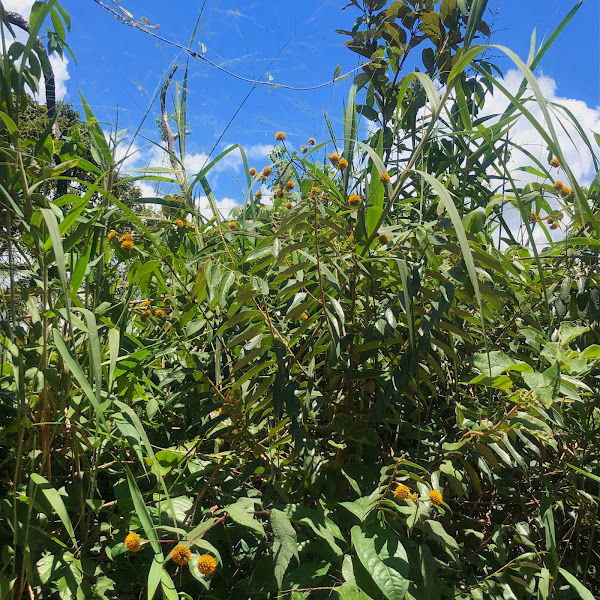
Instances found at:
x=120 y=68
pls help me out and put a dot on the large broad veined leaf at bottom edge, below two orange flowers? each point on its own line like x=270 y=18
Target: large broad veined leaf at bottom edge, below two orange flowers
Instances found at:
x=383 y=556
